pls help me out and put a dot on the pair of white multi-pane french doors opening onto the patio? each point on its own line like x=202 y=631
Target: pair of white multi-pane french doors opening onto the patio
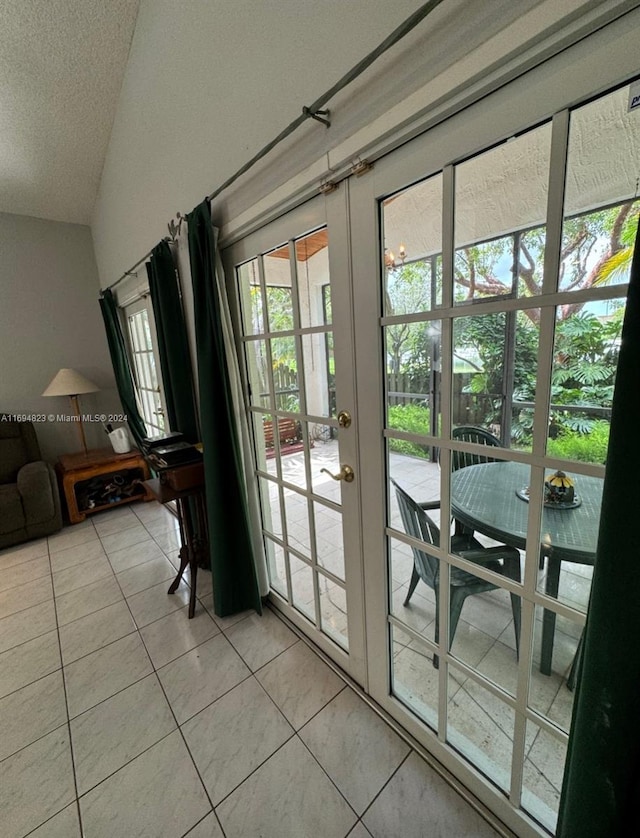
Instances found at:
x=475 y=276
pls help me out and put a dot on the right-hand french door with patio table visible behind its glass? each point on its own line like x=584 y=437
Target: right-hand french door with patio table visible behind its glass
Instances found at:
x=500 y=245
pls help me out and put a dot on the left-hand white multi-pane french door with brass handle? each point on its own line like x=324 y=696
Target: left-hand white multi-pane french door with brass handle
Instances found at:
x=293 y=286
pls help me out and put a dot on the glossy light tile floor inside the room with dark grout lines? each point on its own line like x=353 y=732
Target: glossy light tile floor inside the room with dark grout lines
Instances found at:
x=122 y=718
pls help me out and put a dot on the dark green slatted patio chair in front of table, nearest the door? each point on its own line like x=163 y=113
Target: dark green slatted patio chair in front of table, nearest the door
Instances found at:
x=501 y=559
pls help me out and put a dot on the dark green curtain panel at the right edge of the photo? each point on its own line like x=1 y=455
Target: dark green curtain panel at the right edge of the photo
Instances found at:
x=600 y=793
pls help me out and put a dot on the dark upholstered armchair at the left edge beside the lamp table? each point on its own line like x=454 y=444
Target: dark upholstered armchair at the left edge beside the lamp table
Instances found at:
x=29 y=497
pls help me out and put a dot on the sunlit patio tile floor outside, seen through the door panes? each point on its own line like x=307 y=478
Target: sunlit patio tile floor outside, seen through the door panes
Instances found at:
x=485 y=638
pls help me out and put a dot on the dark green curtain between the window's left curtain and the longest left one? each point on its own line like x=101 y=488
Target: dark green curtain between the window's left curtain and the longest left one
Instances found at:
x=173 y=345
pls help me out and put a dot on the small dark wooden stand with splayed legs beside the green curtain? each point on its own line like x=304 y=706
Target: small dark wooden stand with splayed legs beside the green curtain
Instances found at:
x=193 y=527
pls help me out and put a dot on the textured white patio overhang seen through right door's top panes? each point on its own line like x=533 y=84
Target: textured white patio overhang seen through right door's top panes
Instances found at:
x=505 y=189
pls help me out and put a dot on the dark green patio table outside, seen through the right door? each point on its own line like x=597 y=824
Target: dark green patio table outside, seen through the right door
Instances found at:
x=484 y=497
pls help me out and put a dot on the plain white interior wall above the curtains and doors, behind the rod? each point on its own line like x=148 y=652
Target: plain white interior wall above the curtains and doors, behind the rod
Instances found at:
x=210 y=83
